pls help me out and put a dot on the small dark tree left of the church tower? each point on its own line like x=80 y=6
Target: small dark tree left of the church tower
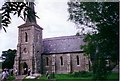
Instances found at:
x=9 y=58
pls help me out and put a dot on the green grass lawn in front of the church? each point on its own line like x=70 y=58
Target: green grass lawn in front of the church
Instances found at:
x=70 y=77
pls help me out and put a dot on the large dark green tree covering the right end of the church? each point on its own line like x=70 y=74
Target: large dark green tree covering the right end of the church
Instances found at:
x=101 y=46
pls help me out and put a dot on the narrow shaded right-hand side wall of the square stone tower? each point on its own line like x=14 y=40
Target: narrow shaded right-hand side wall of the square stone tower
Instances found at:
x=37 y=49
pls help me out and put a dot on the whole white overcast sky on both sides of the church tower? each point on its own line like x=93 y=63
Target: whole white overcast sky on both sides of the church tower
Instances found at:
x=53 y=19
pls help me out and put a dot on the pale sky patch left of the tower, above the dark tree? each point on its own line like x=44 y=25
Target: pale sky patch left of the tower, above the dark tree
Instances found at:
x=9 y=39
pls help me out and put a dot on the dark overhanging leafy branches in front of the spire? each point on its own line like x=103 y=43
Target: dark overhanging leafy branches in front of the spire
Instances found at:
x=21 y=9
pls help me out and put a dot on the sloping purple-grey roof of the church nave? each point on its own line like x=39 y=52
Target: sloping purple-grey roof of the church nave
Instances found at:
x=63 y=44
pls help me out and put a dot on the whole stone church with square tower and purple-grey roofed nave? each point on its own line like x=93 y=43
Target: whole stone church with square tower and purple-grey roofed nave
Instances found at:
x=57 y=54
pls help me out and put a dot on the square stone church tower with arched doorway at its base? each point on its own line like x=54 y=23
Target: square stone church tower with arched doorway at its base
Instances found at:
x=29 y=46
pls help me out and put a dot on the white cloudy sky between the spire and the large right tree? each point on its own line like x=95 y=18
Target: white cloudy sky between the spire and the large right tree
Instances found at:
x=53 y=18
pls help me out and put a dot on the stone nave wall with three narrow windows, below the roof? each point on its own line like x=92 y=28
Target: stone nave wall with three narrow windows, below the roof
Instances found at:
x=69 y=63
